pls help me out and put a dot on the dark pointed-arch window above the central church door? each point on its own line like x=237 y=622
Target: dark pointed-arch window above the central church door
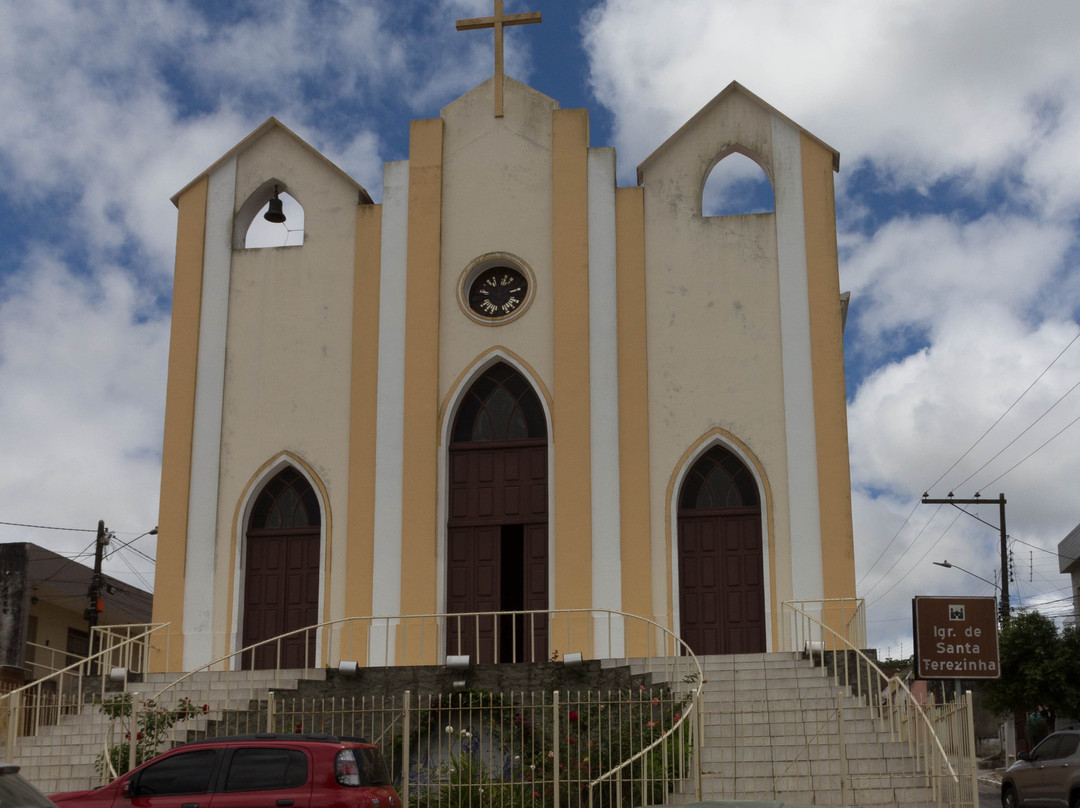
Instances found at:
x=501 y=406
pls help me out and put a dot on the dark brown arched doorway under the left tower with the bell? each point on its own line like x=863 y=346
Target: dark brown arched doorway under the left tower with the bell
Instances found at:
x=282 y=572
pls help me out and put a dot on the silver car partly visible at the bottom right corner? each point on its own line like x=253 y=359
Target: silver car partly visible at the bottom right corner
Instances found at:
x=1047 y=776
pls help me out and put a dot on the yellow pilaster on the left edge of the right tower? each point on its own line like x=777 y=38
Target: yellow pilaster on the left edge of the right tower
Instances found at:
x=633 y=413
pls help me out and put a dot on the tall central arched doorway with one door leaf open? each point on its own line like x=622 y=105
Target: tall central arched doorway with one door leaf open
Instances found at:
x=497 y=526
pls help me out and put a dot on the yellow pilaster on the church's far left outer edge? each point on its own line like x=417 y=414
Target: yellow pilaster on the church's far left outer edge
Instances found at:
x=180 y=427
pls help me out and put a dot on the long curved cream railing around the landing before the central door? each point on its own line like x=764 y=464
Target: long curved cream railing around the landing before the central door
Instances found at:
x=524 y=637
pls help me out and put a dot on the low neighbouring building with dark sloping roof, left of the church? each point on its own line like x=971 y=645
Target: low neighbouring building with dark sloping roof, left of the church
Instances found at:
x=43 y=611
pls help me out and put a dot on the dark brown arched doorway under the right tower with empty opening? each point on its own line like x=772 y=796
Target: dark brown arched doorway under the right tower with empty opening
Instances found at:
x=722 y=584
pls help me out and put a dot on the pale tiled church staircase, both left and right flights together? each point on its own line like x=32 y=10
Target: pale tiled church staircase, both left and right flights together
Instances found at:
x=773 y=731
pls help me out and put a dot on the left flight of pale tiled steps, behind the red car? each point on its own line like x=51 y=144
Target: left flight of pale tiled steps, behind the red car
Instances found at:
x=62 y=758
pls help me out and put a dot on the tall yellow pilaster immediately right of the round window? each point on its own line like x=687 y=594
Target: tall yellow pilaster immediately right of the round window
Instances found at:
x=571 y=440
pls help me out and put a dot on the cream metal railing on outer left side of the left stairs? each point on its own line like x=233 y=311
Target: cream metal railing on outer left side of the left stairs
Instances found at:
x=123 y=650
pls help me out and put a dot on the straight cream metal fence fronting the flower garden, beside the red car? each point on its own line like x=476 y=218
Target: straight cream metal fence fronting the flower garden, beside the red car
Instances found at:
x=548 y=749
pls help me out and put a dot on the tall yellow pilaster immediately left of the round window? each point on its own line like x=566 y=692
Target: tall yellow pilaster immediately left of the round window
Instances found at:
x=421 y=509
